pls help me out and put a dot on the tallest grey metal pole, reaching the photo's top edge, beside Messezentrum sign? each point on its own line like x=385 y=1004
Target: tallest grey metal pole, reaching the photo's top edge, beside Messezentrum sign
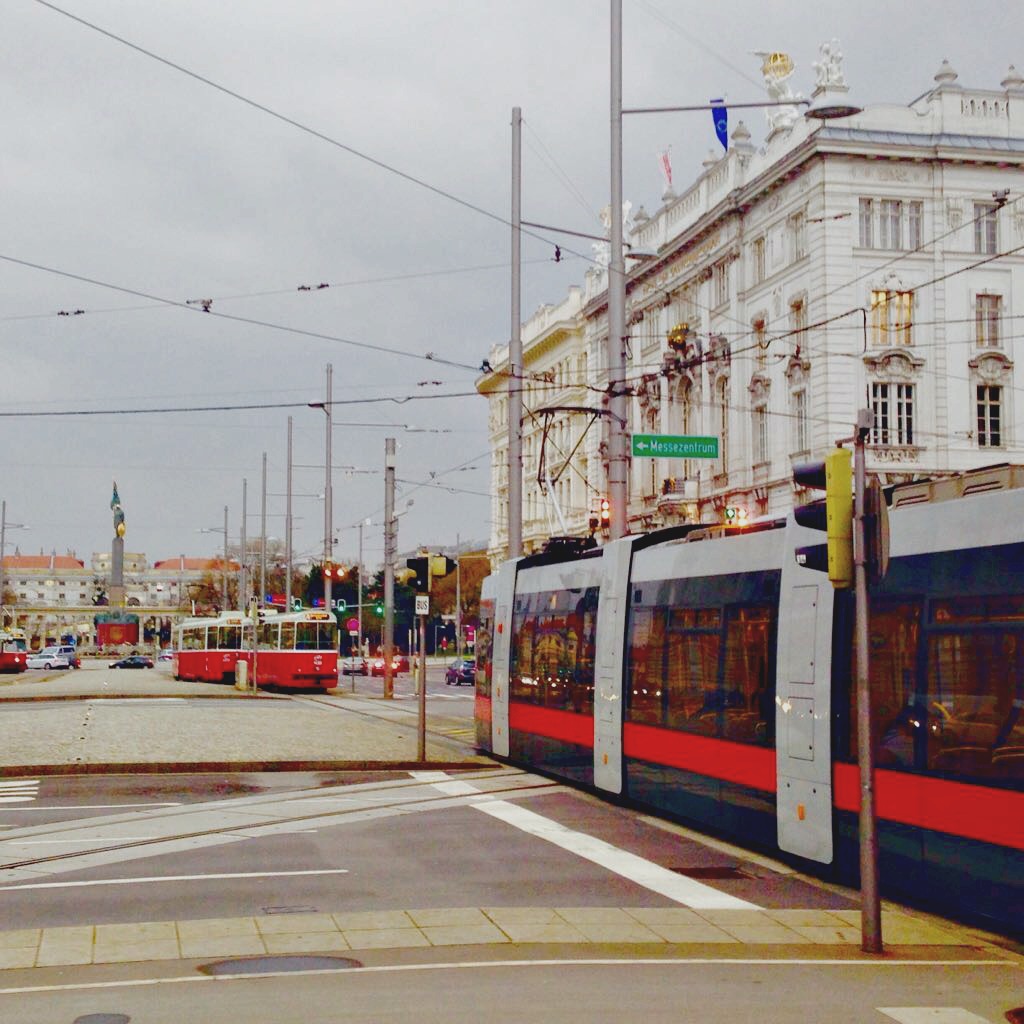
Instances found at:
x=618 y=481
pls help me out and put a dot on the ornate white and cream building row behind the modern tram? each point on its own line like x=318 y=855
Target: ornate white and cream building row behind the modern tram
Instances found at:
x=873 y=263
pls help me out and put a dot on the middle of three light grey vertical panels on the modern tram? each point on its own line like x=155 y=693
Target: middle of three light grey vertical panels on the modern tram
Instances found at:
x=610 y=659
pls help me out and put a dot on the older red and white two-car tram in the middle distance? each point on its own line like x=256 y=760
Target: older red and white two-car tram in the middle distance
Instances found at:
x=297 y=651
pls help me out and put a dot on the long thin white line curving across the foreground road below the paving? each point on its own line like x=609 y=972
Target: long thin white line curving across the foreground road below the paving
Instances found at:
x=203 y=979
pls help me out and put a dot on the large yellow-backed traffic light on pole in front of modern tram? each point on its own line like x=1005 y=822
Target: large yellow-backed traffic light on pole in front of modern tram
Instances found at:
x=834 y=515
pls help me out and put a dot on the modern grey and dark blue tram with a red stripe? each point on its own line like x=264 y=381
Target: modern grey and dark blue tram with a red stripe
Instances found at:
x=709 y=677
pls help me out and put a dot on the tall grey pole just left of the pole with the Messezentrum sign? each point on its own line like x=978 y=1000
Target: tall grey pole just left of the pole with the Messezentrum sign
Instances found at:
x=516 y=350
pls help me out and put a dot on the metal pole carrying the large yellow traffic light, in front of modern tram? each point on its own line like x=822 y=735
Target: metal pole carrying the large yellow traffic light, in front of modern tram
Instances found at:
x=871 y=911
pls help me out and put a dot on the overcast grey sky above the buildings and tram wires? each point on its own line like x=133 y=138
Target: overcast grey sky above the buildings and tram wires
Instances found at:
x=121 y=169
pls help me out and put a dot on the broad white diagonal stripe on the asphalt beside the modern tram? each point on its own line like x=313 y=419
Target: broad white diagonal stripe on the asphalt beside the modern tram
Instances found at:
x=629 y=866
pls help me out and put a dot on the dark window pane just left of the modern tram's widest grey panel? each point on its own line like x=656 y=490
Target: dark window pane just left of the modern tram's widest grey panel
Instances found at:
x=748 y=679
